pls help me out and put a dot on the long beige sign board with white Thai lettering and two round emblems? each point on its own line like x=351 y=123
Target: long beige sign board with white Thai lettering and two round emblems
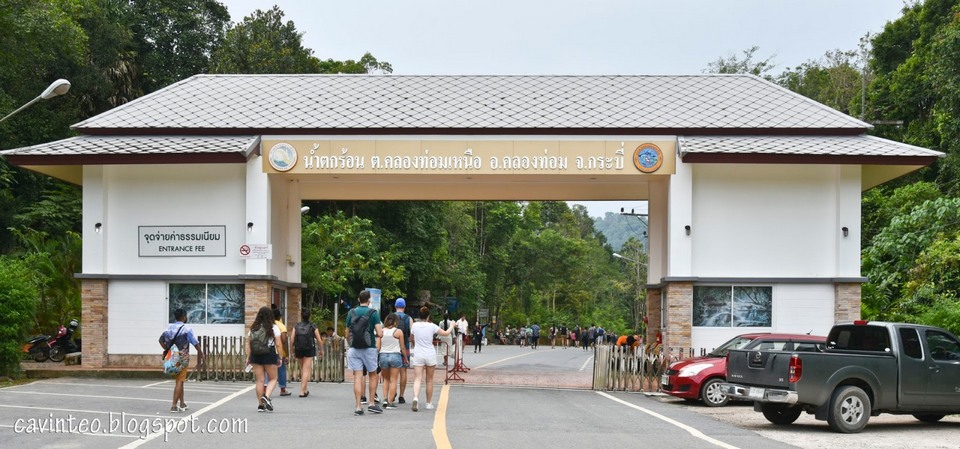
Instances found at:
x=480 y=157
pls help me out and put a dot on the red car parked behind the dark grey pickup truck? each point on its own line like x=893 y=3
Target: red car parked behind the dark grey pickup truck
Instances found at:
x=700 y=377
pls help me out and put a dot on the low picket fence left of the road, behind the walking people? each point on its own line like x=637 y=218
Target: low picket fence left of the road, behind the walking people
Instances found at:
x=225 y=359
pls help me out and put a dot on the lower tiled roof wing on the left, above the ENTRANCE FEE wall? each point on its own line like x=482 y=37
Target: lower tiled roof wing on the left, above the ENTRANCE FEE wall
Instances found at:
x=140 y=145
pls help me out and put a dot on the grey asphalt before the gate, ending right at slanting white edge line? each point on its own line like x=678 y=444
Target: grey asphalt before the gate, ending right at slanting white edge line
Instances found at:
x=224 y=415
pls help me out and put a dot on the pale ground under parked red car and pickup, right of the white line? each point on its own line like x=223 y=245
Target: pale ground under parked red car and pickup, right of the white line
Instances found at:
x=882 y=432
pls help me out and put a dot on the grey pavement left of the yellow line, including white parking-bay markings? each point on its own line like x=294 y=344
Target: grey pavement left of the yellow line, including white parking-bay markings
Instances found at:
x=121 y=413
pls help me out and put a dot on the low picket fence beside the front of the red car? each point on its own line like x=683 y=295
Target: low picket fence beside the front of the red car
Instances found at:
x=623 y=368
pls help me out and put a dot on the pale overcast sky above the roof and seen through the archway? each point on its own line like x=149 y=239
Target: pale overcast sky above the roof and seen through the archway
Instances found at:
x=577 y=37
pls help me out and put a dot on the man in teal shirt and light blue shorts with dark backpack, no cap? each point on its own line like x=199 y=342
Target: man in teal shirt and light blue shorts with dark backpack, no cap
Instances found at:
x=363 y=329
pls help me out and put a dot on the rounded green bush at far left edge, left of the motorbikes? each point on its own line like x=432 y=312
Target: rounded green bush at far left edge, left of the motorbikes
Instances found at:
x=18 y=304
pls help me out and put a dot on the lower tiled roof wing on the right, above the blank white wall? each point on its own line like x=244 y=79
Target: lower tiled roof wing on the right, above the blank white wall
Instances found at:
x=865 y=146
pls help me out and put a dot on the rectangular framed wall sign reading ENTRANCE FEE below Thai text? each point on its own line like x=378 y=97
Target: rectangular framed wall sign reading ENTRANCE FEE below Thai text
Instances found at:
x=182 y=241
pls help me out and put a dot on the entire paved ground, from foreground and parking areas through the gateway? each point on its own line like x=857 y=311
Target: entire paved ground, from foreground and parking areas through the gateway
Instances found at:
x=516 y=413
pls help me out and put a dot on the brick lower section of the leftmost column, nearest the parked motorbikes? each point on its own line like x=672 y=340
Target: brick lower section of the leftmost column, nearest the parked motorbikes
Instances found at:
x=93 y=322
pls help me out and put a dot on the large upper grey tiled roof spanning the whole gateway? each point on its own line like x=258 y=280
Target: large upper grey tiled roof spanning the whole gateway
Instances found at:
x=331 y=103
